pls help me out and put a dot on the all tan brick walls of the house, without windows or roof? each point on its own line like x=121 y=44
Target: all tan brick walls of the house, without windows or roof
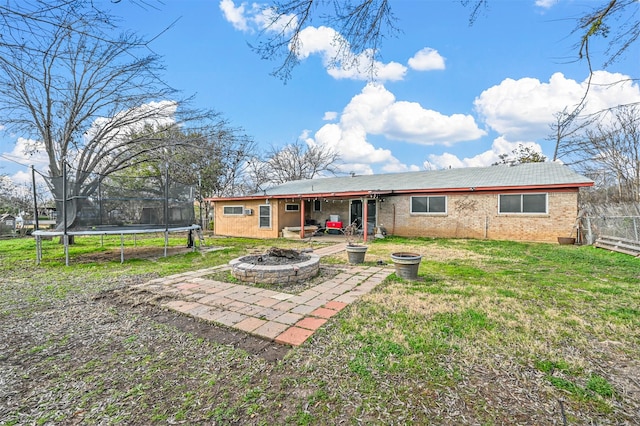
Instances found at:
x=469 y=215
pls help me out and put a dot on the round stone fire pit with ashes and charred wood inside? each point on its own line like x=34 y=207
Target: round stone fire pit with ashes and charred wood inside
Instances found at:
x=276 y=266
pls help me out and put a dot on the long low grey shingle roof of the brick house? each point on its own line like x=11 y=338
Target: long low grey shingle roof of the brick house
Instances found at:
x=521 y=176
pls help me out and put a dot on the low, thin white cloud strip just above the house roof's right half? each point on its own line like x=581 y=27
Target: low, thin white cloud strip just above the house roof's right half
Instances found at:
x=500 y=146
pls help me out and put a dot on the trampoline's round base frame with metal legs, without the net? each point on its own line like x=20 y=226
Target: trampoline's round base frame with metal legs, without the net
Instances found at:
x=110 y=231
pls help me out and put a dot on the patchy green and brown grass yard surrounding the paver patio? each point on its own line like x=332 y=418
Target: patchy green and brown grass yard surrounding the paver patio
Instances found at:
x=491 y=333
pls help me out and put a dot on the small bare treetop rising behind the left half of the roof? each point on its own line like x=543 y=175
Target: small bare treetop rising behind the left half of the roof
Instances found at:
x=295 y=161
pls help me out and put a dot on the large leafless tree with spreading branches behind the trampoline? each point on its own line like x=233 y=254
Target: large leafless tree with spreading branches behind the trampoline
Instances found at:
x=84 y=92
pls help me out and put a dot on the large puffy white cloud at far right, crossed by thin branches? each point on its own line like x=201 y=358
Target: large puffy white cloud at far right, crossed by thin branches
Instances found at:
x=524 y=108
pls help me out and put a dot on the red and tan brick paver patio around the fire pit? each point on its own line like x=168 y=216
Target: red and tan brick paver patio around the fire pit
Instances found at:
x=285 y=318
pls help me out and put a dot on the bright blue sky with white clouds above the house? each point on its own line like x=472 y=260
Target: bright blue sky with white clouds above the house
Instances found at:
x=447 y=94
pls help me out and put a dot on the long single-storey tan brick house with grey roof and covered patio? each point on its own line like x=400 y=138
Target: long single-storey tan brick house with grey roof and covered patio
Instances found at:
x=524 y=202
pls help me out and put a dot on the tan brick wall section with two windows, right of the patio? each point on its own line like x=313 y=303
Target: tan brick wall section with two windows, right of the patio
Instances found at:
x=476 y=216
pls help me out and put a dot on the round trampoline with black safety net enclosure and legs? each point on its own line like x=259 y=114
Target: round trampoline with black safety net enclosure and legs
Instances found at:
x=120 y=205
